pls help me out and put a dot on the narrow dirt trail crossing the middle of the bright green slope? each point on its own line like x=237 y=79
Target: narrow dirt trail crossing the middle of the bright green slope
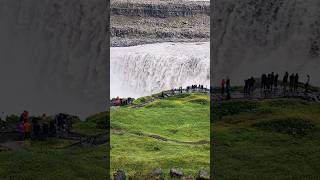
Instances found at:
x=160 y=138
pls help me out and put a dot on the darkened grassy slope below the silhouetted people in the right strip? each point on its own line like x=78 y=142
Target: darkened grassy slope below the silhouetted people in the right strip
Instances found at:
x=270 y=139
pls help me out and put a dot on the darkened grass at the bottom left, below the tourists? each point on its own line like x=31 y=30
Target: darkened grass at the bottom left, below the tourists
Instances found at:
x=45 y=161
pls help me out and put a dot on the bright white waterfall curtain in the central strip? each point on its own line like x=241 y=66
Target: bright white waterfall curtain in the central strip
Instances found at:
x=145 y=69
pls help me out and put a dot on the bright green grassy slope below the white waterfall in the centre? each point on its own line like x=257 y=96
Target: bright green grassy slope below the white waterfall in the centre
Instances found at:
x=167 y=133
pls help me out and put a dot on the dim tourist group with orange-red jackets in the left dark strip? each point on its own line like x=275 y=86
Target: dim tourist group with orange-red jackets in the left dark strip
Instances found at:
x=40 y=128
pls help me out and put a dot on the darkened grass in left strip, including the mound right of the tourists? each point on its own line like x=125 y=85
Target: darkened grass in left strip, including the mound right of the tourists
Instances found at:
x=52 y=159
